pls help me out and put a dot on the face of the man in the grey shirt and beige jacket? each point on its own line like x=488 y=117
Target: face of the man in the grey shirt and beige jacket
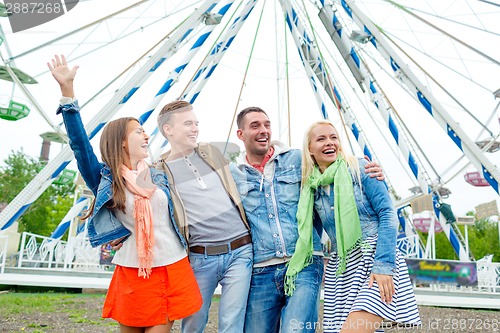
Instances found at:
x=182 y=131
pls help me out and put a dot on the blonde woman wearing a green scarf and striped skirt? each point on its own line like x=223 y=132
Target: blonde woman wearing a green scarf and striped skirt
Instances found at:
x=367 y=284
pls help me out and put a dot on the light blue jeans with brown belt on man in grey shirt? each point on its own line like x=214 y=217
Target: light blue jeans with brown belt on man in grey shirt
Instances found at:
x=233 y=272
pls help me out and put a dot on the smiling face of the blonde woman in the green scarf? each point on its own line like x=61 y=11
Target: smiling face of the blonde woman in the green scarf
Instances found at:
x=324 y=145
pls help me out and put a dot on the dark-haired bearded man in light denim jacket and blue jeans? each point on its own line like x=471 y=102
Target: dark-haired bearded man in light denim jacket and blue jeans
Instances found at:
x=268 y=177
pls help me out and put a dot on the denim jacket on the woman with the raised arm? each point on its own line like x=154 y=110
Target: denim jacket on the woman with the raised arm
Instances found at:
x=103 y=226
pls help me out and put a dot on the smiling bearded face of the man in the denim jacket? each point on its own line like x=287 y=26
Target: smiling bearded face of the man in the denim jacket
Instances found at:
x=256 y=134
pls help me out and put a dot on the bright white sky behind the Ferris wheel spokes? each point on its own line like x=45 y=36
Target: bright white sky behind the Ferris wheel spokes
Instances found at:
x=262 y=68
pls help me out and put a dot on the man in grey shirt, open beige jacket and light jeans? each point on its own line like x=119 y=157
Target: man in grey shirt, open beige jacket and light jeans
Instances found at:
x=208 y=208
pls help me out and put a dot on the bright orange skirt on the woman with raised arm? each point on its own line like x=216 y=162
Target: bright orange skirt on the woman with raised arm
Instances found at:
x=171 y=292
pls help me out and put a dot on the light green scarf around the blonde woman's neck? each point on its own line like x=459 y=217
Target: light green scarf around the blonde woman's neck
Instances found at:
x=347 y=226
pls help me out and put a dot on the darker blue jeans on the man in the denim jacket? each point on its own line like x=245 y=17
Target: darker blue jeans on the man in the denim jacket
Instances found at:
x=270 y=310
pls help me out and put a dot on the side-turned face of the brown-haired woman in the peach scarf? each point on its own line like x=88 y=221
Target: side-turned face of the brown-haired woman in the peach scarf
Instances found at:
x=136 y=143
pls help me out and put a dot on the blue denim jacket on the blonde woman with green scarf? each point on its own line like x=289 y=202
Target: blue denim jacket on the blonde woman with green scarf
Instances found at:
x=376 y=214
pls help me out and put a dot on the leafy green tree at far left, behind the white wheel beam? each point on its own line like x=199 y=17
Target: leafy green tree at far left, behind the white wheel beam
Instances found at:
x=47 y=211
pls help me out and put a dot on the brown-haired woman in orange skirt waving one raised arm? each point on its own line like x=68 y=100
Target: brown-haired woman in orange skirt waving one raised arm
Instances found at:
x=153 y=283
